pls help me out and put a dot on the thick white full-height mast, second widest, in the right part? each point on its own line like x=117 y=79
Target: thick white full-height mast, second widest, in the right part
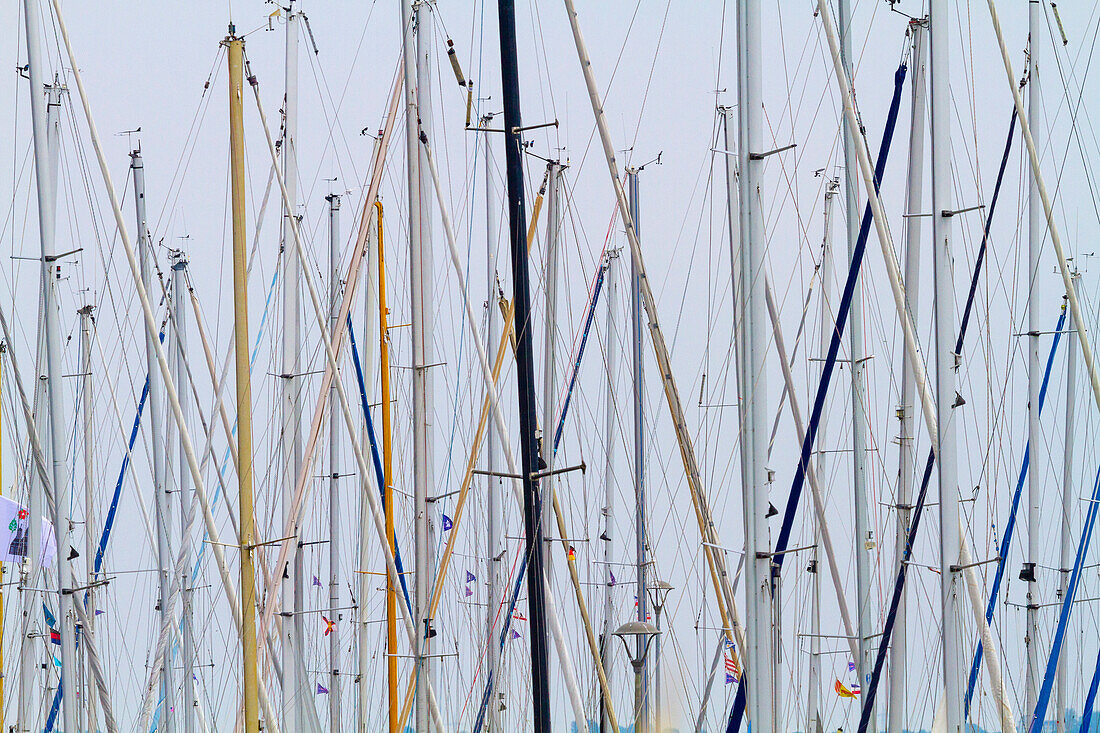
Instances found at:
x=943 y=205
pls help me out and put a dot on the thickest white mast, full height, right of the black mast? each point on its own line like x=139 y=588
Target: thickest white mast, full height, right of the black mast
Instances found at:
x=754 y=385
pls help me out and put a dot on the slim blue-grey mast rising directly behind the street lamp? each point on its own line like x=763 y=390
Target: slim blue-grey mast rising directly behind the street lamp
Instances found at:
x=637 y=335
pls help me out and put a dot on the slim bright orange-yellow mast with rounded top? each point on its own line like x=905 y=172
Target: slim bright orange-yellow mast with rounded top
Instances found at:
x=388 y=469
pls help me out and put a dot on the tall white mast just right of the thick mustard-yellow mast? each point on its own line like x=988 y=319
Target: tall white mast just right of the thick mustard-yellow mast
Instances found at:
x=294 y=691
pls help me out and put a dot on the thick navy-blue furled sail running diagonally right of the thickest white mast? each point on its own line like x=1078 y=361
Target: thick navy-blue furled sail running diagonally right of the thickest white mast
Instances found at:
x=842 y=319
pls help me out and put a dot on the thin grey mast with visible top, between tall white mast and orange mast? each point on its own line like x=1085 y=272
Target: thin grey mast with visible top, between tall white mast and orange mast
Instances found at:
x=335 y=550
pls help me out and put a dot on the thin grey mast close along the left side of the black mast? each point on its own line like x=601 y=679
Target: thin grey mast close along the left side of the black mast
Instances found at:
x=494 y=507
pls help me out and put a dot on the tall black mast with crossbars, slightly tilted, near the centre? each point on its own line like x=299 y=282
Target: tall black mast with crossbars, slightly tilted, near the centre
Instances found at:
x=525 y=369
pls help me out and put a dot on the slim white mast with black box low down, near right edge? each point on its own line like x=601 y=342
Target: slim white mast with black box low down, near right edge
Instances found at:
x=1037 y=232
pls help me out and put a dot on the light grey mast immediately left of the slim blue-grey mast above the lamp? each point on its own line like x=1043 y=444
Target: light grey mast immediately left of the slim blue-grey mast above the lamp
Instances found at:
x=611 y=420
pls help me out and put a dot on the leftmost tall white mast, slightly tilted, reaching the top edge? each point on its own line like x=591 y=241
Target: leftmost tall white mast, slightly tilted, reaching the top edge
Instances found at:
x=47 y=203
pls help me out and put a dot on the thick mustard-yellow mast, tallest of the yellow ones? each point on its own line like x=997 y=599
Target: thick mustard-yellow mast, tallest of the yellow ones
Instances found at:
x=236 y=56
